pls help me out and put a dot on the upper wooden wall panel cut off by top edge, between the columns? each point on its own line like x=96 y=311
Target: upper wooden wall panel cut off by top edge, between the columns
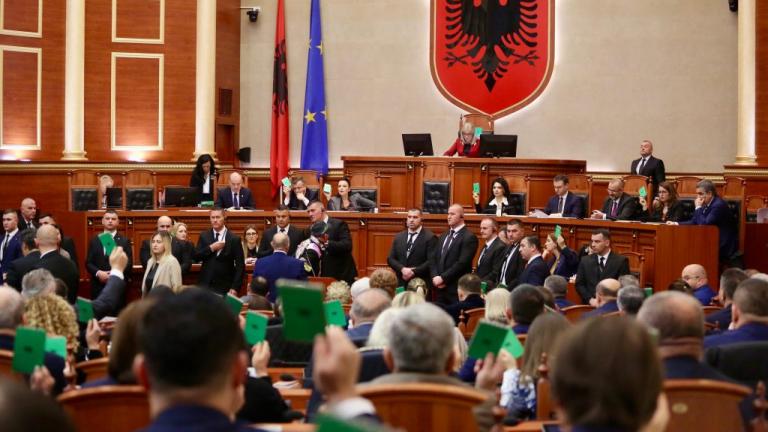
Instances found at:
x=138 y=19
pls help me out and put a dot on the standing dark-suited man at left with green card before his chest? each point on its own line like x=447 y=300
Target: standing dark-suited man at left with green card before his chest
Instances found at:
x=97 y=262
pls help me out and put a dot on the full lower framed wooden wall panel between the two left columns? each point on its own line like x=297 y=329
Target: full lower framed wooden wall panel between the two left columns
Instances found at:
x=138 y=93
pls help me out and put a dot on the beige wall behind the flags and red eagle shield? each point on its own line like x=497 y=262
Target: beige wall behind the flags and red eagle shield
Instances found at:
x=624 y=70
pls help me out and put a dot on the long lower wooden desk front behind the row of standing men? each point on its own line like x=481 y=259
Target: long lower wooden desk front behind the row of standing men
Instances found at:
x=667 y=249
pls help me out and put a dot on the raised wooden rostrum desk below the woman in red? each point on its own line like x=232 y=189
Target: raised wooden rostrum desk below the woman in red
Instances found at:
x=399 y=179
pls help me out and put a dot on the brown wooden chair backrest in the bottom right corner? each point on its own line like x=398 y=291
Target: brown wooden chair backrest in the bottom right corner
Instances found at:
x=704 y=405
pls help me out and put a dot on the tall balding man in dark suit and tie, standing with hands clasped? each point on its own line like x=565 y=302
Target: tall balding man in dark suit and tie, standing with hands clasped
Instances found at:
x=452 y=257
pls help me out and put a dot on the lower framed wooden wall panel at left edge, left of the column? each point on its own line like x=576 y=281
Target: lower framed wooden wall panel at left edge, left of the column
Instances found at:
x=20 y=102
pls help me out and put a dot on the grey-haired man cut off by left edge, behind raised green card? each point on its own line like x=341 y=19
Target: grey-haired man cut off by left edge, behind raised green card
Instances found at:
x=12 y=316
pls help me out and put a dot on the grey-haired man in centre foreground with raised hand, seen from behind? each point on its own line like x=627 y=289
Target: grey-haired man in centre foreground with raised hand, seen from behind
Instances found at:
x=421 y=351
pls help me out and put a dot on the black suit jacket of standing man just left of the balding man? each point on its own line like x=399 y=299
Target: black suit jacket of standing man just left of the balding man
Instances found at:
x=423 y=245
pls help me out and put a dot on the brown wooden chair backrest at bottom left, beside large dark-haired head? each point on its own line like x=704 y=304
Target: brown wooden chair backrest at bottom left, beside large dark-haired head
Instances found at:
x=107 y=408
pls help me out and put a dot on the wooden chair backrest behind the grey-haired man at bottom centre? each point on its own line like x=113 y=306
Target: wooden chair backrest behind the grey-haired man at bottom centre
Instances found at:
x=424 y=407
